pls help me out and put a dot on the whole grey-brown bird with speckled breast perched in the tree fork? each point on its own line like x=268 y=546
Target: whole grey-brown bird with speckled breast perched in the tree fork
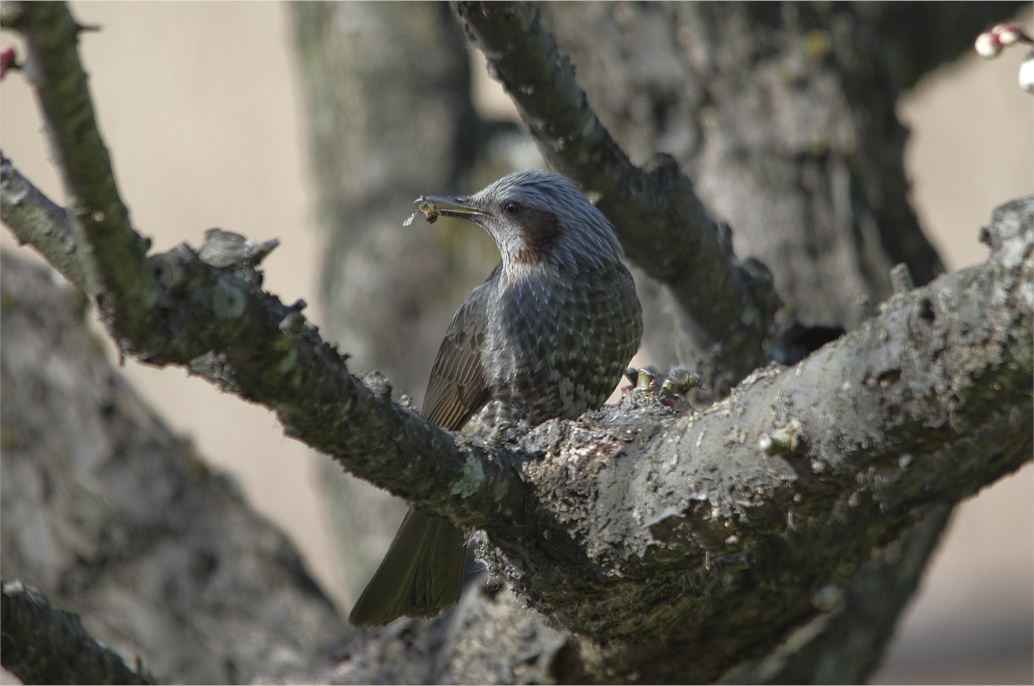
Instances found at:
x=549 y=335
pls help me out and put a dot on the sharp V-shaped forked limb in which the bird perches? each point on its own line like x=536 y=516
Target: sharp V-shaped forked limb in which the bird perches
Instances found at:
x=640 y=522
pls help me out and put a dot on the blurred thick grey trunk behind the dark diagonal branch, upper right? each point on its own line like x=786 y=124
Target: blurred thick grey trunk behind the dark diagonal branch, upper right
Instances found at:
x=783 y=115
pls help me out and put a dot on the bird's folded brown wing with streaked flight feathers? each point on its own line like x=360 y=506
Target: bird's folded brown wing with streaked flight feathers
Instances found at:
x=458 y=389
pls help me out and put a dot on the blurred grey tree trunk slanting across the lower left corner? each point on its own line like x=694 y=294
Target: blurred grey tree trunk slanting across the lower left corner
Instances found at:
x=114 y=518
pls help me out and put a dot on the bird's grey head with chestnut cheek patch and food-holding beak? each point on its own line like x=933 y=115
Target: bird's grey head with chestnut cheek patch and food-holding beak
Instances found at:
x=537 y=219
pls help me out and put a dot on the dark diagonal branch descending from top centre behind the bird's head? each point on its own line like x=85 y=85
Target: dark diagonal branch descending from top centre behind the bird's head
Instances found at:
x=663 y=226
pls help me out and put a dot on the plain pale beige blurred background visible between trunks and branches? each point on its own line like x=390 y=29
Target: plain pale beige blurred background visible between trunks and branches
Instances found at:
x=202 y=114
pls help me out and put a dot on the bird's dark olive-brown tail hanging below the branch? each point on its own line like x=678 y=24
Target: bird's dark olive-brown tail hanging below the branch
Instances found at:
x=421 y=575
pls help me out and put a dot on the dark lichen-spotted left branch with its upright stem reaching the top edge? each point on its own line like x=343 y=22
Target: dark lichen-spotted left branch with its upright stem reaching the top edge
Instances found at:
x=208 y=313
